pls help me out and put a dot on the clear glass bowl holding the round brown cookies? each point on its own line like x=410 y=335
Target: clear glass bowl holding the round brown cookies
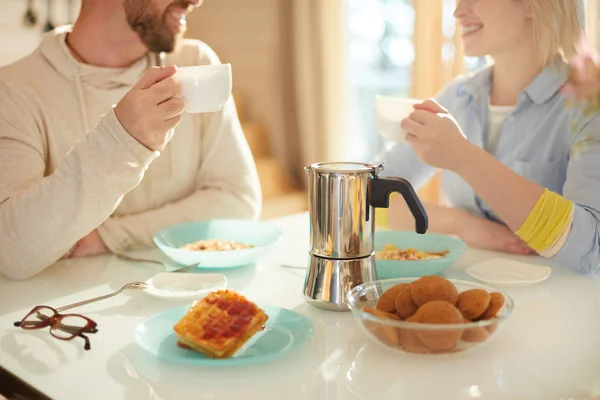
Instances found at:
x=410 y=337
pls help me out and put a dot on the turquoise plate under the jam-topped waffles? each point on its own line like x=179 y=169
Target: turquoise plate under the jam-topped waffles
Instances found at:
x=285 y=331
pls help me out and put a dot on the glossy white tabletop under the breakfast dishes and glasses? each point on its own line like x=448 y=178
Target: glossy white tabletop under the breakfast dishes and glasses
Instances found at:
x=548 y=349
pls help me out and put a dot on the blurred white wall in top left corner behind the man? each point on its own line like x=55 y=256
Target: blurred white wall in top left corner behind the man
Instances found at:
x=18 y=40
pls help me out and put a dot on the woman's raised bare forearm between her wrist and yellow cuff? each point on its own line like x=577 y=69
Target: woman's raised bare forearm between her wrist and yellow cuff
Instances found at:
x=511 y=196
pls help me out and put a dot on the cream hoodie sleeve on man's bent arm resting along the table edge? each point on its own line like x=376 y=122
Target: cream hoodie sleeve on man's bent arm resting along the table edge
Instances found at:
x=227 y=186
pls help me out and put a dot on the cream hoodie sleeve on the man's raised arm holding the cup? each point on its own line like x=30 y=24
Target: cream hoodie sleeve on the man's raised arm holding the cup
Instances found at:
x=42 y=216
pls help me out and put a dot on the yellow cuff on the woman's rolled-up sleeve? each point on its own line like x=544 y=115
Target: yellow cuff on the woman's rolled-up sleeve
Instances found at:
x=547 y=221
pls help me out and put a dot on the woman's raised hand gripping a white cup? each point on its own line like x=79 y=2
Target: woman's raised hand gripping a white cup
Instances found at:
x=436 y=137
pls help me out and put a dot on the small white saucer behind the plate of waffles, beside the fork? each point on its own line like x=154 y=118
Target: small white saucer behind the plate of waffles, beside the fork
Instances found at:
x=179 y=285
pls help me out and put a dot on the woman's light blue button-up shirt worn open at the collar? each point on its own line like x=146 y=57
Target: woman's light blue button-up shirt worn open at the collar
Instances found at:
x=545 y=140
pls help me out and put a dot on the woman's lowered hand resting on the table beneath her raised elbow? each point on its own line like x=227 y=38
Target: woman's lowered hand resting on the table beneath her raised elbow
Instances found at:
x=490 y=235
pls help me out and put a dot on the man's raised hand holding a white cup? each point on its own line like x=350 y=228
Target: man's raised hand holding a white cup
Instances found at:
x=152 y=108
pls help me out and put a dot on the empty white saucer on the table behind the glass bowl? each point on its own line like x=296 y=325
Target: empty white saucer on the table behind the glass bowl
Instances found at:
x=501 y=271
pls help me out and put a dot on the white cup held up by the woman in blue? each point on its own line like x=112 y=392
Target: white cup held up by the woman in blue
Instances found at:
x=389 y=112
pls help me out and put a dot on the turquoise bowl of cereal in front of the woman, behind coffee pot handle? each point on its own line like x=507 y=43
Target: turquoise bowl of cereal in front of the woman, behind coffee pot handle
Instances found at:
x=403 y=254
